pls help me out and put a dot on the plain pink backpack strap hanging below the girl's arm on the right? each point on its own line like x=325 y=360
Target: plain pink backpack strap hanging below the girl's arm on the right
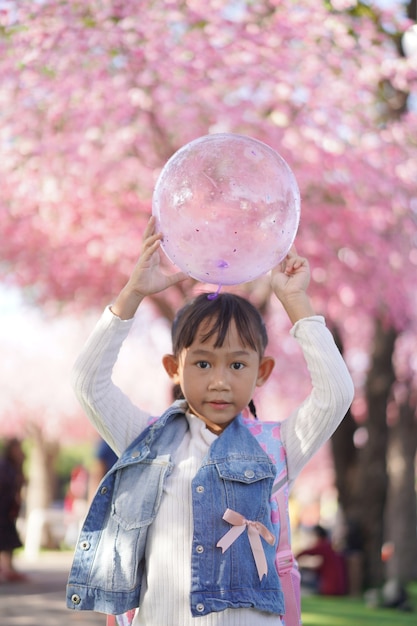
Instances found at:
x=285 y=561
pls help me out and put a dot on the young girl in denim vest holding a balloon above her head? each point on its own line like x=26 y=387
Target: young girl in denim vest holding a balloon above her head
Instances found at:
x=157 y=534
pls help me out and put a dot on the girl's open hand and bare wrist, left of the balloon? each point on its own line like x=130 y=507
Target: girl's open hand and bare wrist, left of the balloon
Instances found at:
x=147 y=277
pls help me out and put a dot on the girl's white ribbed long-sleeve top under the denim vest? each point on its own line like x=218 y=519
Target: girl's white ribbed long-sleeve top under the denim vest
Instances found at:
x=167 y=581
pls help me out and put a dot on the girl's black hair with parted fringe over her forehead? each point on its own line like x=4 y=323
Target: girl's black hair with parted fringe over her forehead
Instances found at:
x=218 y=312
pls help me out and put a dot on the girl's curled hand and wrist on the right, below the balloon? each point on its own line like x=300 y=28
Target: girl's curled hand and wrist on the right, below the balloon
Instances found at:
x=289 y=281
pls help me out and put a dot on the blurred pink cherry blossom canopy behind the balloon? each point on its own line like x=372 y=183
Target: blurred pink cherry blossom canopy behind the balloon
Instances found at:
x=97 y=95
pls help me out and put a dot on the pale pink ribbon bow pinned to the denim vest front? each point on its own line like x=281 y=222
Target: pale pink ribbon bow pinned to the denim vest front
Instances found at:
x=256 y=530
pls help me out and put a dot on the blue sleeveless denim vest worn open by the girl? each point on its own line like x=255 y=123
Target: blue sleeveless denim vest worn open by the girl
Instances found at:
x=236 y=474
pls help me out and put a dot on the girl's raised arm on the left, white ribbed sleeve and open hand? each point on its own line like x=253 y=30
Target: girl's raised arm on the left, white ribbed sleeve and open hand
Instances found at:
x=116 y=418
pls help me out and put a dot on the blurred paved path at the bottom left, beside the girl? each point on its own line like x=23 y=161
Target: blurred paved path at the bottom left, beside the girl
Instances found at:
x=40 y=601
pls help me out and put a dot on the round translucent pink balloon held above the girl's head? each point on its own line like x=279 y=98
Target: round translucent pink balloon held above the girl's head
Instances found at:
x=228 y=207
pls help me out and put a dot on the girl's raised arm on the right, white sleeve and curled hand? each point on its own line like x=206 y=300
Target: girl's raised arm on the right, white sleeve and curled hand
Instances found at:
x=313 y=423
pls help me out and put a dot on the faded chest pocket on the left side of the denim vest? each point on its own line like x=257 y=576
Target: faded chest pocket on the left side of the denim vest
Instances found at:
x=136 y=507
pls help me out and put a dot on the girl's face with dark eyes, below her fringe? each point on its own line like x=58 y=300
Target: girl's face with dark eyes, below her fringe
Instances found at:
x=218 y=382
